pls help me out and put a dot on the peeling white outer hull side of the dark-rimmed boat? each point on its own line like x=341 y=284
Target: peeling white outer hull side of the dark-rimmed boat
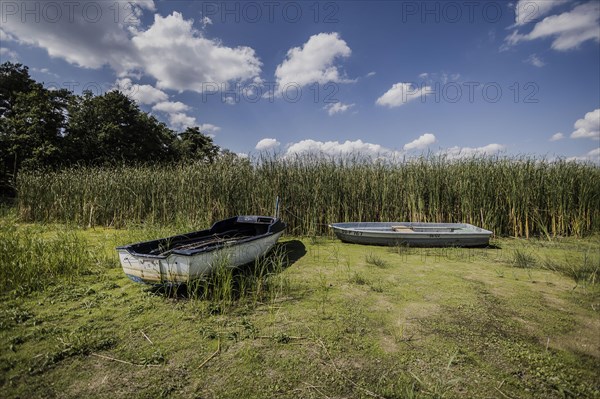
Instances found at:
x=181 y=268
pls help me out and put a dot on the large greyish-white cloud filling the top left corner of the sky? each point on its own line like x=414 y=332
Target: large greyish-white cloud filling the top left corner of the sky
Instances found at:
x=89 y=34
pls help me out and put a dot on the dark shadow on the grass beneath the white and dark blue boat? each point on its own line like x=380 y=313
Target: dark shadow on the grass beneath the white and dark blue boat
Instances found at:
x=238 y=282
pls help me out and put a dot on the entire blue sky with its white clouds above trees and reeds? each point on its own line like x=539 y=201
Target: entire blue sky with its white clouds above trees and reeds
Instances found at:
x=381 y=78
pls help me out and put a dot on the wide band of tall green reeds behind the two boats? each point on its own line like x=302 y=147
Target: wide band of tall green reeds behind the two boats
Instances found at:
x=511 y=196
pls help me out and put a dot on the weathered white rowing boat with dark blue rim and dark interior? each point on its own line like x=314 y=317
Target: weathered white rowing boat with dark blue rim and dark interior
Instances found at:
x=170 y=260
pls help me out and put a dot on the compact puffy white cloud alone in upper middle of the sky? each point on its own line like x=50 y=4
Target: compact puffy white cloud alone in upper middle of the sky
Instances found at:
x=313 y=62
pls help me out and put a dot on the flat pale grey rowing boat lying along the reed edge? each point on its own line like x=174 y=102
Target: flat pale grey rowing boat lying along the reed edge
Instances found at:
x=412 y=234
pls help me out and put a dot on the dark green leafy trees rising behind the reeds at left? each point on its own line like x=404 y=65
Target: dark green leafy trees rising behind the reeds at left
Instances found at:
x=42 y=128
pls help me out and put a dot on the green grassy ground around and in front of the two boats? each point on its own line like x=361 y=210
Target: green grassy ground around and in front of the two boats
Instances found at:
x=325 y=320
